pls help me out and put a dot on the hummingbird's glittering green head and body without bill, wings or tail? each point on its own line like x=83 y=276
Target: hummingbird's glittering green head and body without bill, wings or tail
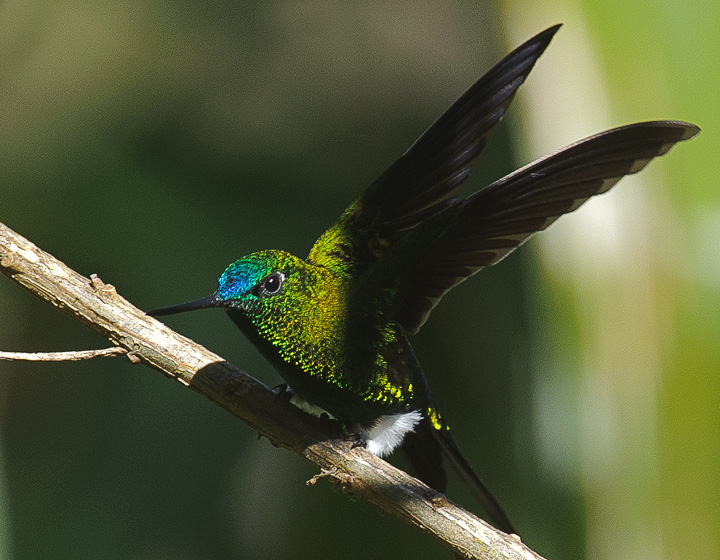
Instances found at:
x=335 y=358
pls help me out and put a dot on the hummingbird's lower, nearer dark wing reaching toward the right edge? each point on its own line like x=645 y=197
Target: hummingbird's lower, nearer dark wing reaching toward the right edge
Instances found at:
x=482 y=229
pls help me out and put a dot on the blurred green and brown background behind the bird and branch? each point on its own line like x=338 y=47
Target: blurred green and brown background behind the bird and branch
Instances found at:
x=153 y=142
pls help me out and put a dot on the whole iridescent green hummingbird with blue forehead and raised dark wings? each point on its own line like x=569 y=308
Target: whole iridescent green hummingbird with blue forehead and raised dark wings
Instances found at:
x=336 y=325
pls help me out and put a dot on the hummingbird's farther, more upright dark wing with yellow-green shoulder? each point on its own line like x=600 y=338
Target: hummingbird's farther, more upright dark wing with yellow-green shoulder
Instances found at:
x=429 y=176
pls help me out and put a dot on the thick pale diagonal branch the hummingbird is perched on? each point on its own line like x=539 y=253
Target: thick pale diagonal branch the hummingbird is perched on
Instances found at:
x=147 y=341
